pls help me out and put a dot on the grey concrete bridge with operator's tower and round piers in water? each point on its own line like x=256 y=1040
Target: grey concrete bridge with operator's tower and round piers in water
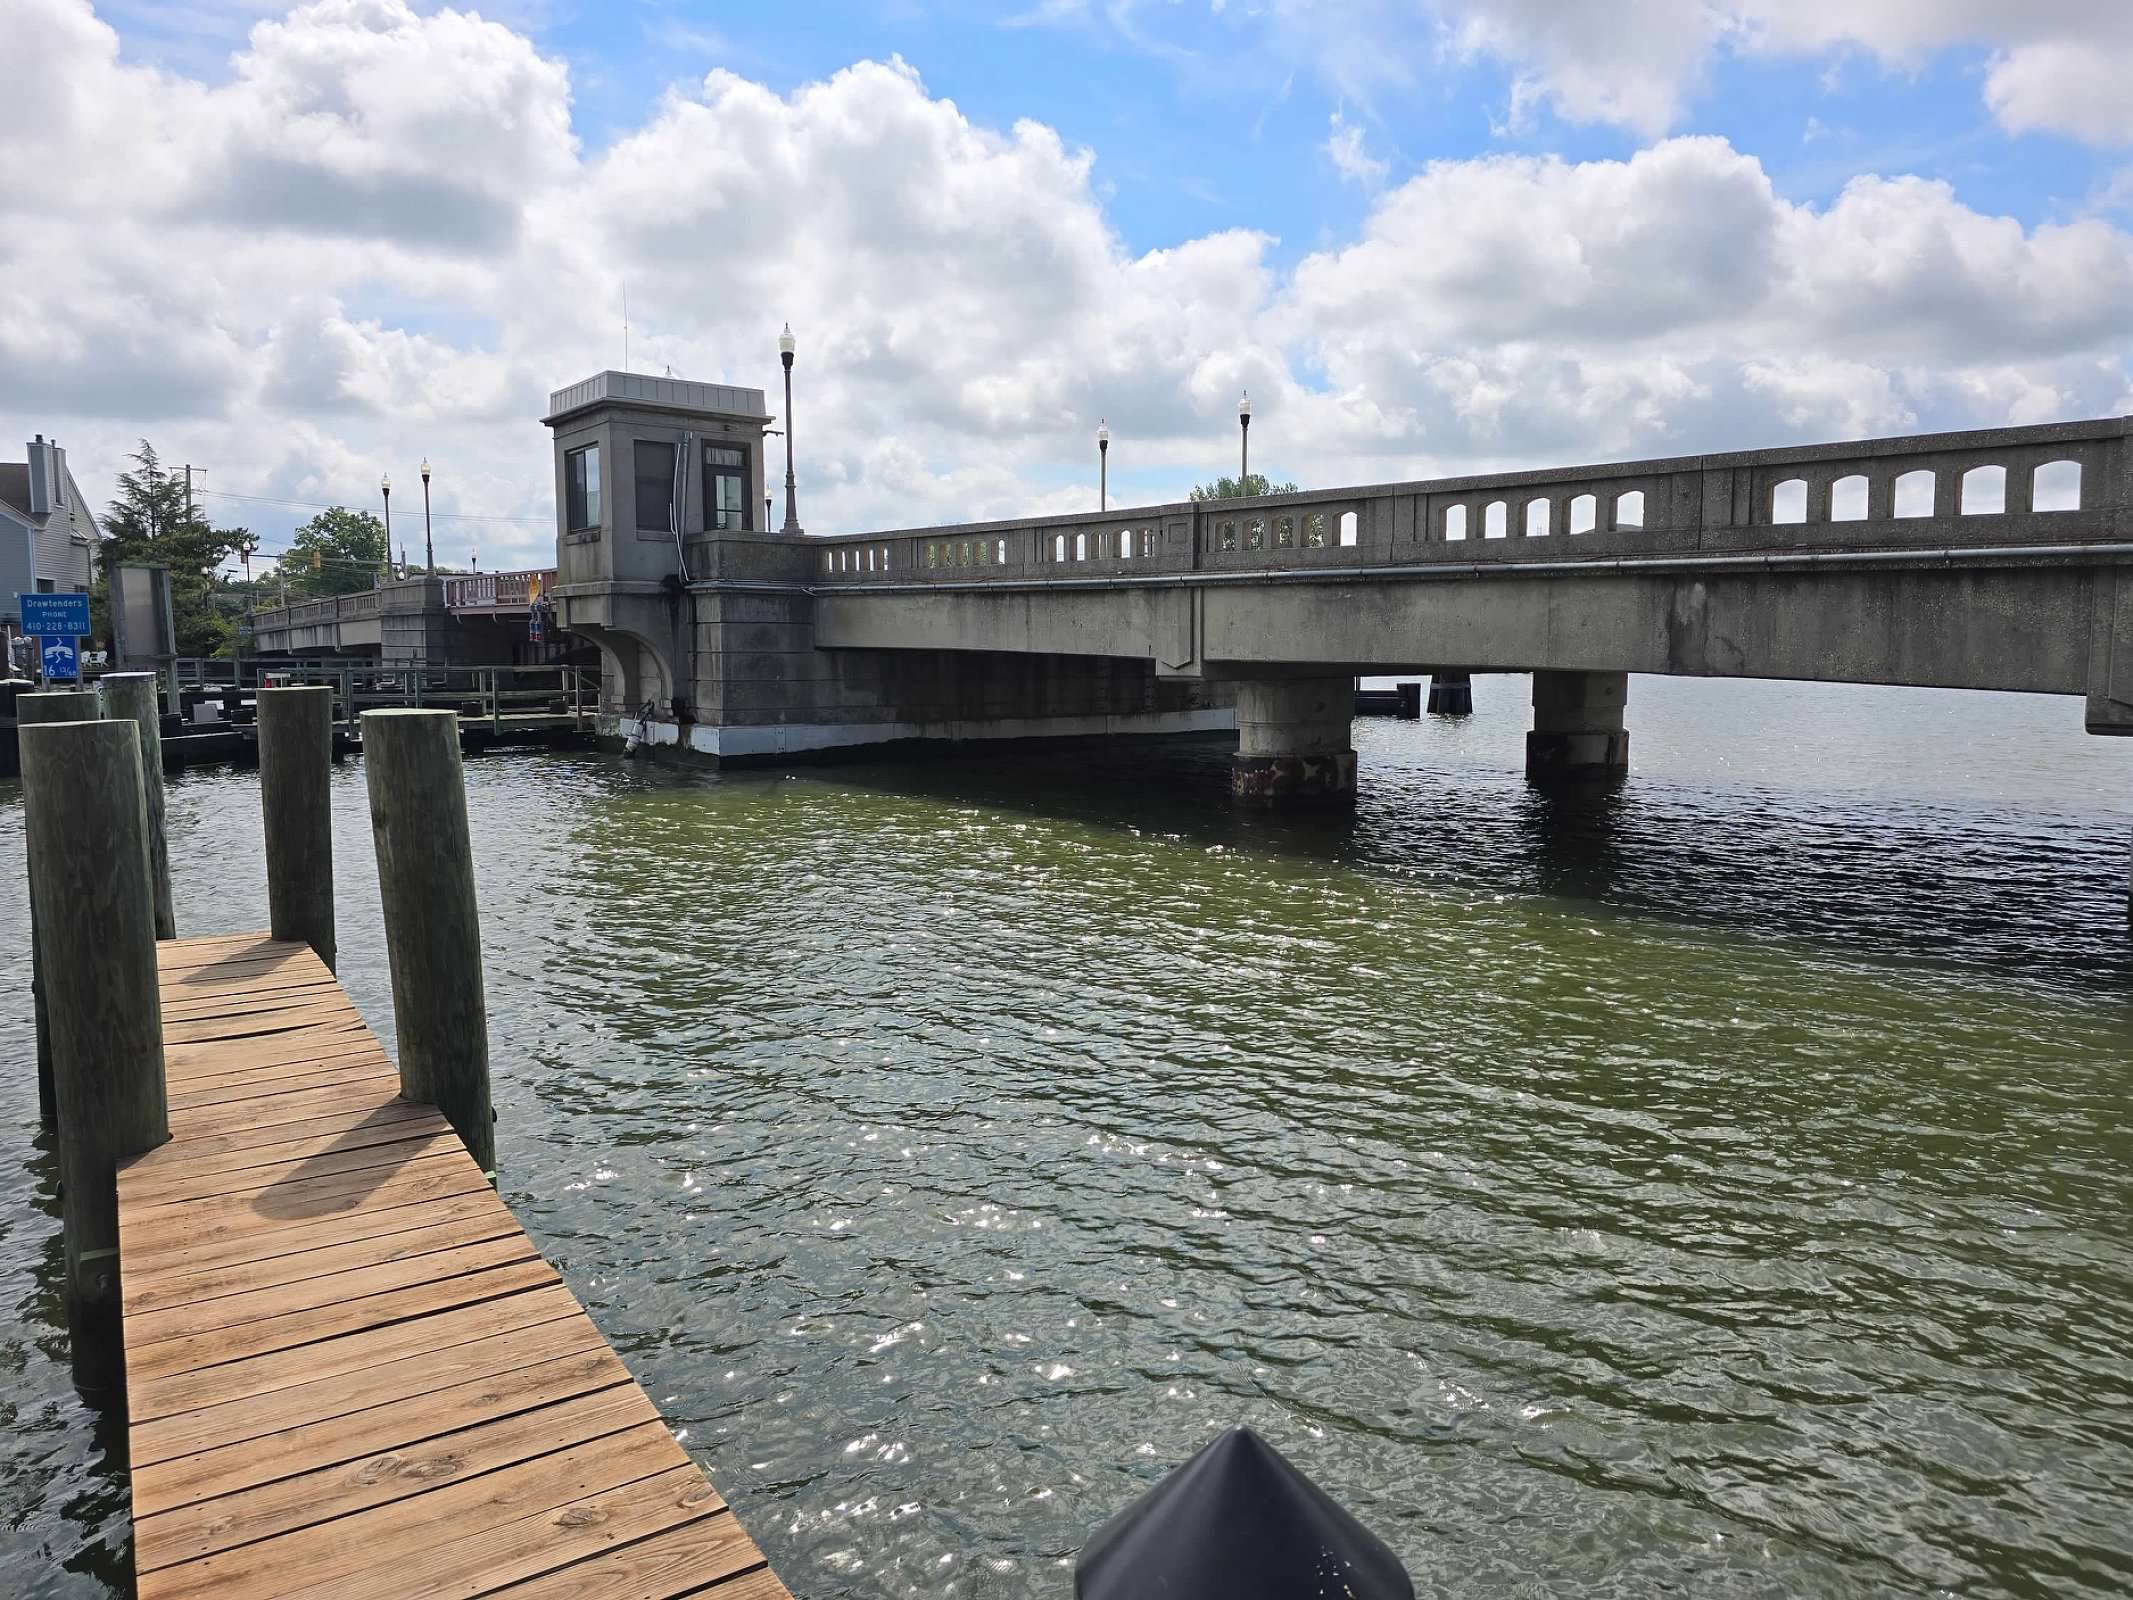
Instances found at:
x=1993 y=560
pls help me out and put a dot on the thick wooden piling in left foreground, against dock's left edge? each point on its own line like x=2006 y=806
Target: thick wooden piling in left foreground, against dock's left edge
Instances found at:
x=97 y=918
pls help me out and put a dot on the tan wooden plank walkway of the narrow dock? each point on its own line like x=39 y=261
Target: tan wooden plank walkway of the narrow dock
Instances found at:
x=349 y=1371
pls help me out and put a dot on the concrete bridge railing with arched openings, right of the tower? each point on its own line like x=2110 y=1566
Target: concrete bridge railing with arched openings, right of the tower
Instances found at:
x=2000 y=487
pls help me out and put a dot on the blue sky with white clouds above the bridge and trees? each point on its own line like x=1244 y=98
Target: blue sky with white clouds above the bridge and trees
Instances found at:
x=306 y=249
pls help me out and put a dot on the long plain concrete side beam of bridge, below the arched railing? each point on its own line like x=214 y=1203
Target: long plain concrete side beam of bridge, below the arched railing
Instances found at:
x=2034 y=628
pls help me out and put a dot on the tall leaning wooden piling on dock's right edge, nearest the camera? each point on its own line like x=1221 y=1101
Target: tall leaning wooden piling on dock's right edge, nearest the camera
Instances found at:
x=434 y=942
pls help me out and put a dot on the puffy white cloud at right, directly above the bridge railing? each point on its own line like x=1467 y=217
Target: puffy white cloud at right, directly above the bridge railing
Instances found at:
x=1526 y=306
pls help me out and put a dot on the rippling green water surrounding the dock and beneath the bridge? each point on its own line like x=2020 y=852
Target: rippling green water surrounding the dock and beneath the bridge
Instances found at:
x=1714 y=1189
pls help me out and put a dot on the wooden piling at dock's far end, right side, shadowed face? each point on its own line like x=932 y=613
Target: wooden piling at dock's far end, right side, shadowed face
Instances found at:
x=295 y=735
